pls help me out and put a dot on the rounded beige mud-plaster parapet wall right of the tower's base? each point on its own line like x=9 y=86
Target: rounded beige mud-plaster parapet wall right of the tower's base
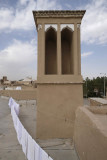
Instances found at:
x=90 y=135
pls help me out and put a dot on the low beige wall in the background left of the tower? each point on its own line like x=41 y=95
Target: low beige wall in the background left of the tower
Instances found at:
x=19 y=95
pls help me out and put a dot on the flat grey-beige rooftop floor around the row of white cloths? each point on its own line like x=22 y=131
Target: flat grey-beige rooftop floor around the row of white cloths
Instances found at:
x=58 y=149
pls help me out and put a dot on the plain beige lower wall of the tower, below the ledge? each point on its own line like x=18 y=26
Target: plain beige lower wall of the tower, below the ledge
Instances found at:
x=56 y=105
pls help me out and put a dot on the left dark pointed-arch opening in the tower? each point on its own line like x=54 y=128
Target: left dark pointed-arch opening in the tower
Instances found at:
x=50 y=51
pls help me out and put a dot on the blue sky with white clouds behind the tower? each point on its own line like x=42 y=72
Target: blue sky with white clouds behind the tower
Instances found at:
x=18 y=36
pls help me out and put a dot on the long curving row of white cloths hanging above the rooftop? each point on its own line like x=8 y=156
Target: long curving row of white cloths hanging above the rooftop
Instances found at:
x=29 y=146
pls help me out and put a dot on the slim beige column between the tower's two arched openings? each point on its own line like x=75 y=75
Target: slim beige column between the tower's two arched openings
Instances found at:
x=58 y=50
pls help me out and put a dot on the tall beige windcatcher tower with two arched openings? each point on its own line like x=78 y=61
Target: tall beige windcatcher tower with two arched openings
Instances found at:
x=59 y=80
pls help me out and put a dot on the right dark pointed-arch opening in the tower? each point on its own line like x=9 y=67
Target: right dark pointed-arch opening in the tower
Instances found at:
x=67 y=50
